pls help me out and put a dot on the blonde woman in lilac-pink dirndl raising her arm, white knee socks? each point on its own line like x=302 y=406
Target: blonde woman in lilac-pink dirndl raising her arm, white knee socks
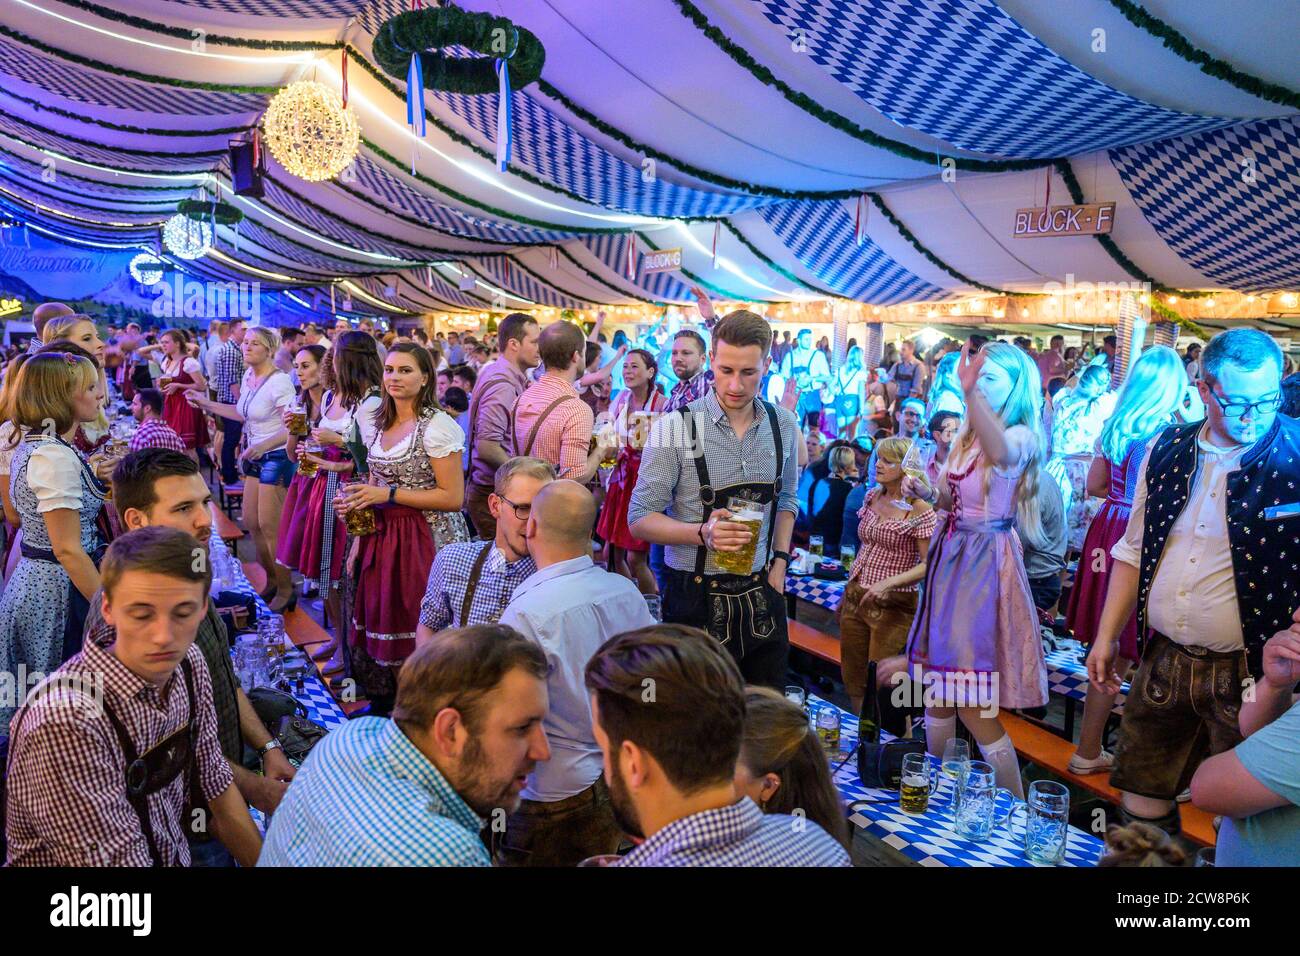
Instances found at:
x=976 y=638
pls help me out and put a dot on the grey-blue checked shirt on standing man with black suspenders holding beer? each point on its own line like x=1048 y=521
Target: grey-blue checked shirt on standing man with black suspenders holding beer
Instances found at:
x=669 y=485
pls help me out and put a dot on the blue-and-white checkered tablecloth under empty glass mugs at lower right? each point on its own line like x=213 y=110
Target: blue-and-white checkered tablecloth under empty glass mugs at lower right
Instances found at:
x=931 y=838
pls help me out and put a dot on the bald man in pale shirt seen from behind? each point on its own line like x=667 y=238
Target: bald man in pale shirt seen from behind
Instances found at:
x=570 y=608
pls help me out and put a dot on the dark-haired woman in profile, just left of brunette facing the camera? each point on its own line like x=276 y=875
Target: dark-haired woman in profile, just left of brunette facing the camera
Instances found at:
x=352 y=374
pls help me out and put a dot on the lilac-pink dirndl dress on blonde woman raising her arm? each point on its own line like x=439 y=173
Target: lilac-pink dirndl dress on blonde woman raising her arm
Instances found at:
x=977 y=617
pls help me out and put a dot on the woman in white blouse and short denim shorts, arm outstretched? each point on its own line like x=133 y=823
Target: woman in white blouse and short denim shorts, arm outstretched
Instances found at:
x=265 y=395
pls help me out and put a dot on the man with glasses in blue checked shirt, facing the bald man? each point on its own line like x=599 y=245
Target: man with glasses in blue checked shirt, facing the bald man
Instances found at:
x=473 y=582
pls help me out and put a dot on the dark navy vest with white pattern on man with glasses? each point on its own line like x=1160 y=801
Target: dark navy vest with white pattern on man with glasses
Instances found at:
x=1266 y=548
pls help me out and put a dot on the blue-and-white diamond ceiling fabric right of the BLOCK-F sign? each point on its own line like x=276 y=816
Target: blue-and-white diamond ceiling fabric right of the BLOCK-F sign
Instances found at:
x=1227 y=201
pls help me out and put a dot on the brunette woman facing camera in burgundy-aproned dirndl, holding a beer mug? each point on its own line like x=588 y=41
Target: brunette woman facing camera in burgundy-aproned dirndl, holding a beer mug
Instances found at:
x=417 y=488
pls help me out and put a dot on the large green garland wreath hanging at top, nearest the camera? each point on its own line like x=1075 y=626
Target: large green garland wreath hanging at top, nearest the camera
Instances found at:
x=430 y=31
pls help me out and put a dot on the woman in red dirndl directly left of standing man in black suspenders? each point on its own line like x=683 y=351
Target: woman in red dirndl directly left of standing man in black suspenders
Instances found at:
x=634 y=413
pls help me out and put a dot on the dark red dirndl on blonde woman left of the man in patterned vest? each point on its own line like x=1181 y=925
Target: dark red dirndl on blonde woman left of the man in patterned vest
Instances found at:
x=1089 y=594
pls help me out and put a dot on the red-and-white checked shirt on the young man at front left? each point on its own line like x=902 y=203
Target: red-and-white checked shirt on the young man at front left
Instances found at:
x=67 y=786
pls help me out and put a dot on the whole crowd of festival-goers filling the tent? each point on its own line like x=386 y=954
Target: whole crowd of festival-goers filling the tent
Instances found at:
x=551 y=560
